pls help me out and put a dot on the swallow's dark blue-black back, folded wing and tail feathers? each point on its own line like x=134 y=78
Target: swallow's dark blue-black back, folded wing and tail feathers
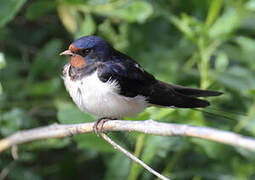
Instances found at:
x=133 y=81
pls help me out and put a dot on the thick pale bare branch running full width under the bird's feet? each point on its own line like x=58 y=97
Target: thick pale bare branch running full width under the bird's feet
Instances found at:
x=148 y=127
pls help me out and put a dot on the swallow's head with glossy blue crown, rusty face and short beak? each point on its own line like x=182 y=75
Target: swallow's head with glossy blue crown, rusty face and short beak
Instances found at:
x=87 y=50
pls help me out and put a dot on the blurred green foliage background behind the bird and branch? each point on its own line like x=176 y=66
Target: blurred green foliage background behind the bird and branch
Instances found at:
x=207 y=44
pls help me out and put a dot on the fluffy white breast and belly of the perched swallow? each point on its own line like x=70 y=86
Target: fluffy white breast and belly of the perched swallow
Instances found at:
x=102 y=99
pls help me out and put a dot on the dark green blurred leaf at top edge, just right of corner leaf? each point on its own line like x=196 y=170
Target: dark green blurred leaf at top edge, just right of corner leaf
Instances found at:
x=40 y=8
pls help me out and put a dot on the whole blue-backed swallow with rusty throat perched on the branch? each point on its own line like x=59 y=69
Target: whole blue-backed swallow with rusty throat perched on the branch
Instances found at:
x=109 y=84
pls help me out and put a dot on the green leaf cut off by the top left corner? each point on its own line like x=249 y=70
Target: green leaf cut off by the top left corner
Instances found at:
x=9 y=9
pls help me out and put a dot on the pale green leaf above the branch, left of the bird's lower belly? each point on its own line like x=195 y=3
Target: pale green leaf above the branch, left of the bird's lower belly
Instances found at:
x=68 y=113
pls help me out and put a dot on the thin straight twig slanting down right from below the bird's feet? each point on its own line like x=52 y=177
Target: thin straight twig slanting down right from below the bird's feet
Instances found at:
x=131 y=156
